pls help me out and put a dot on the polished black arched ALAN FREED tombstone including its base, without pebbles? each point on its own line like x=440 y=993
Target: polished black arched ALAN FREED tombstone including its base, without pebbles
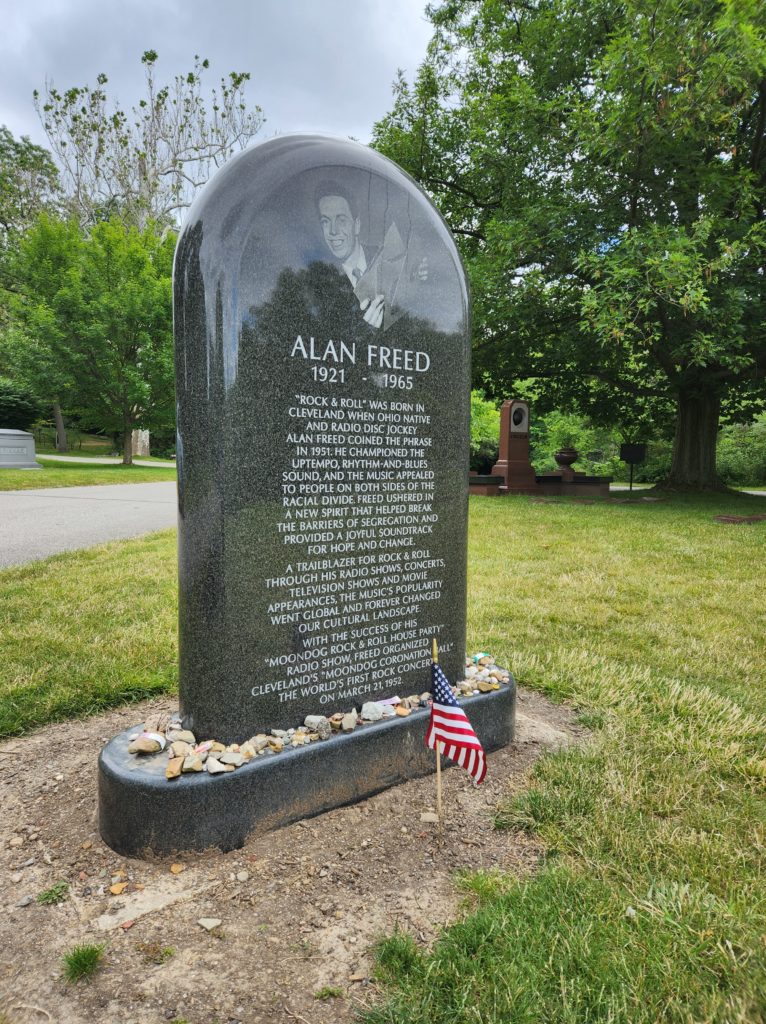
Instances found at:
x=323 y=377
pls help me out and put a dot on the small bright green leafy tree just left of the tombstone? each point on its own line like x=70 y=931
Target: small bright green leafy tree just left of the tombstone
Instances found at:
x=95 y=325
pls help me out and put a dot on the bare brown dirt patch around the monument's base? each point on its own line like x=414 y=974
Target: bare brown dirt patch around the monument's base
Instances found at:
x=300 y=908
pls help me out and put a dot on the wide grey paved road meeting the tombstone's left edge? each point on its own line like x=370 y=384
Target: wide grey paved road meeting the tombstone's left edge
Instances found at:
x=38 y=524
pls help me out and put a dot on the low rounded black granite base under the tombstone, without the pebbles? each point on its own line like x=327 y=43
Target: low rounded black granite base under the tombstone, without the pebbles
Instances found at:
x=144 y=815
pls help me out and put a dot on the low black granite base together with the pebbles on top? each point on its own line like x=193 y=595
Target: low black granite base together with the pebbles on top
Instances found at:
x=293 y=777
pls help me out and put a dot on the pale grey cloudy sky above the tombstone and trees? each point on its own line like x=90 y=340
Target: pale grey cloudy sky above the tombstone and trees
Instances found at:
x=316 y=65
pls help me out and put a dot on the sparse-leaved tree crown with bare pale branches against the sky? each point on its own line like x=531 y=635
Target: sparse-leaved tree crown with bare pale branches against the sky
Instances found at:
x=147 y=164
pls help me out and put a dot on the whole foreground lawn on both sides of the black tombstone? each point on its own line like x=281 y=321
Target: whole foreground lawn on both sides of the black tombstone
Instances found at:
x=651 y=904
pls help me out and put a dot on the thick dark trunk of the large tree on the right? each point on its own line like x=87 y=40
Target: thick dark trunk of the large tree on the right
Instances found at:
x=694 y=465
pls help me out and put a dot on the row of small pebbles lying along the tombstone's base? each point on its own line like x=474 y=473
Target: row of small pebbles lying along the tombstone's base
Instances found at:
x=187 y=756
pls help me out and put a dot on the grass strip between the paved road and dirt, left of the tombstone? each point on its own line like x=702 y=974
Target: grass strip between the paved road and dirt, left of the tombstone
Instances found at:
x=88 y=630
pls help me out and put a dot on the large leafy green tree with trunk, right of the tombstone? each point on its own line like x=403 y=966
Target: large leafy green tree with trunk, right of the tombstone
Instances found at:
x=604 y=165
